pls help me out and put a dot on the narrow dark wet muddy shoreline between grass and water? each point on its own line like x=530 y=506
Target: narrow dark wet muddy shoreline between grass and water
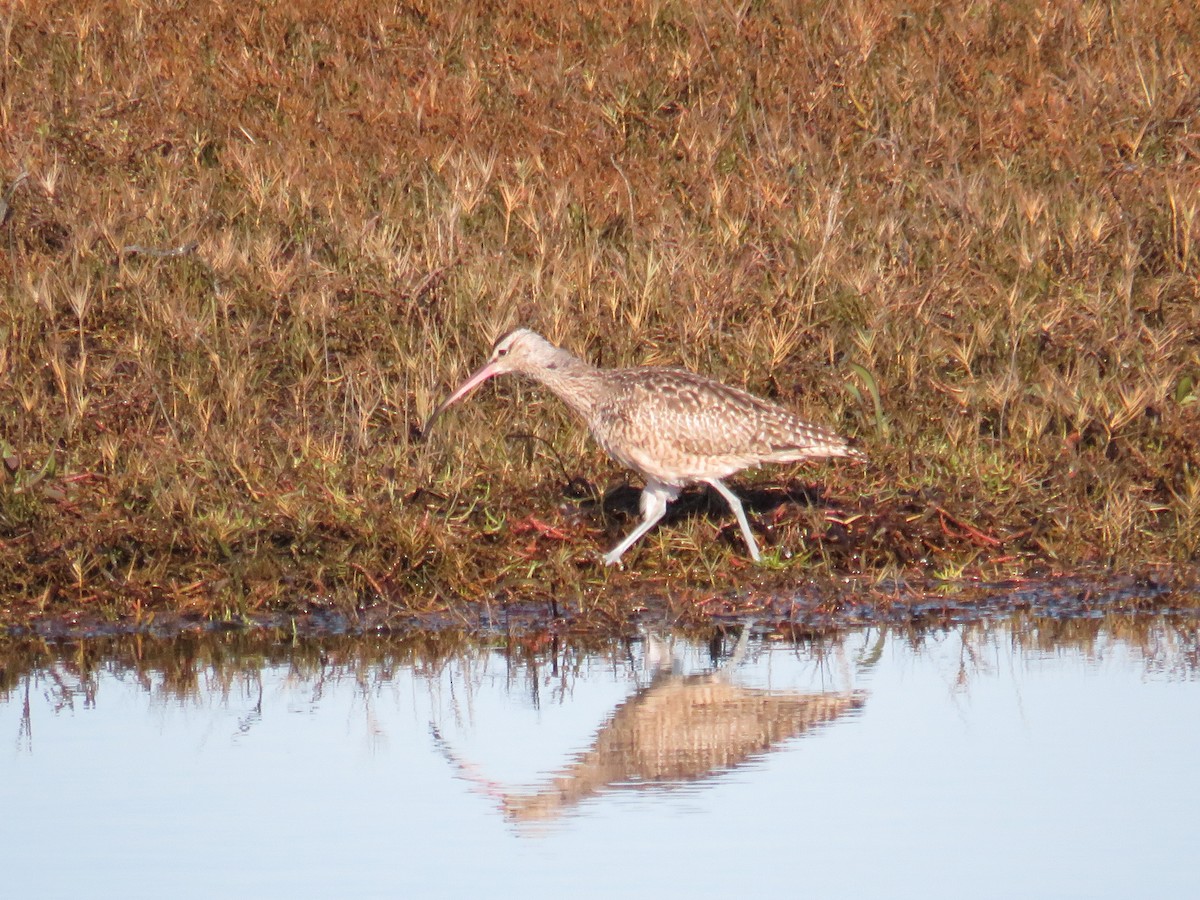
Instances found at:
x=813 y=609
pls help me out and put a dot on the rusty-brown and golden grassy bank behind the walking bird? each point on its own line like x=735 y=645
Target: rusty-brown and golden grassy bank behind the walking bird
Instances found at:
x=256 y=247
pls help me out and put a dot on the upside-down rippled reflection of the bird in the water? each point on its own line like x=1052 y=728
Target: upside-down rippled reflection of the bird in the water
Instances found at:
x=676 y=730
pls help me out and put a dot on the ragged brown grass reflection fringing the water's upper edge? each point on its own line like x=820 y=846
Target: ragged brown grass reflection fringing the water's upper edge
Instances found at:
x=189 y=665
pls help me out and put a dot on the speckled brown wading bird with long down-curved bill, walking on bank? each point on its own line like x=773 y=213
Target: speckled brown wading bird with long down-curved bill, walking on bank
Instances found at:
x=671 y=427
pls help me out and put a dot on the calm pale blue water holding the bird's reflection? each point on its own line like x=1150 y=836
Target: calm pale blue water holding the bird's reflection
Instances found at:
x=1028 y=757
